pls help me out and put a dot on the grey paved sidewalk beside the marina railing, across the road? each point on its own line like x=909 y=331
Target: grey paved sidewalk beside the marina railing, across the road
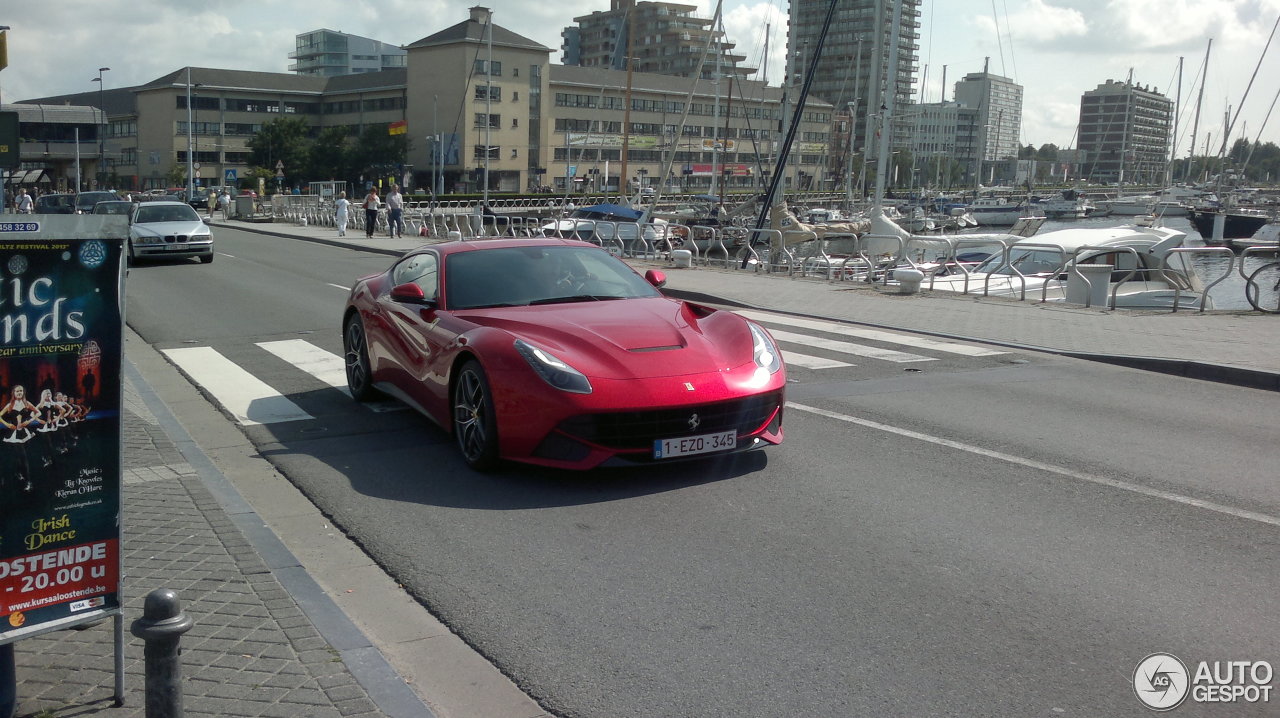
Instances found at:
x=1238 y=347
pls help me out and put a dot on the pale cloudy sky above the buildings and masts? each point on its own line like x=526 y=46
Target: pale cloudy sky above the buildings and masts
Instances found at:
x=1055 y=49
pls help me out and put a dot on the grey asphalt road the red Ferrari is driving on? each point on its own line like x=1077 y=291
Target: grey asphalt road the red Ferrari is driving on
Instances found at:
x=963 y=536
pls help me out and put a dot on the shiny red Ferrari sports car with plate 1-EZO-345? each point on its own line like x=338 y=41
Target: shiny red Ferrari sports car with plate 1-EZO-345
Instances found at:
x=559 y=354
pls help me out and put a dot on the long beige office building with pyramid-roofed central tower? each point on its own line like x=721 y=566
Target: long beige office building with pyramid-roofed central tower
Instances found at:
x=532 y=124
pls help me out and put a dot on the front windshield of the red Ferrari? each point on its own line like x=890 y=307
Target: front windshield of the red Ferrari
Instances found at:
x=540 y=276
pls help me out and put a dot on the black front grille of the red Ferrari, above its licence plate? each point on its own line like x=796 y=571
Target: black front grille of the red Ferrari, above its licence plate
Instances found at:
x=639 y=429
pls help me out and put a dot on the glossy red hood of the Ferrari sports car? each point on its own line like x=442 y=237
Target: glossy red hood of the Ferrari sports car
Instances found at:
x=629 y=339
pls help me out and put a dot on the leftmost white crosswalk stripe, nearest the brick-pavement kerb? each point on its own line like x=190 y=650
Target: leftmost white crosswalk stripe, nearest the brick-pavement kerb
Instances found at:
x=246 y=397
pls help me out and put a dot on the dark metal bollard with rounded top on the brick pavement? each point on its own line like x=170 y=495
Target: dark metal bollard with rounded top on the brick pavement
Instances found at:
x=162 y=626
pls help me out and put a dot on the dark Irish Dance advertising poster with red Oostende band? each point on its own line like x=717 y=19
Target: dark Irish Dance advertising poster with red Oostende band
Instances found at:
x=61 y=353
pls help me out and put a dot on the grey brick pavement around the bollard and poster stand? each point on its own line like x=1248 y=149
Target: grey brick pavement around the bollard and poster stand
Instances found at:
x=253 y=651
